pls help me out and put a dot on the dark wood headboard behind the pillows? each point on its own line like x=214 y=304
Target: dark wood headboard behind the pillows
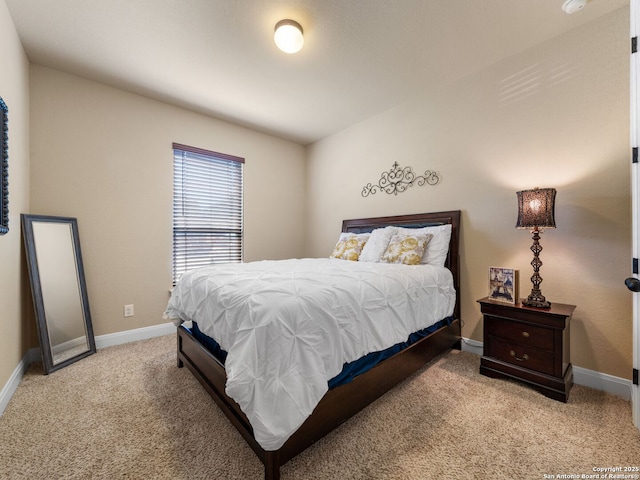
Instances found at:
x=419 y=220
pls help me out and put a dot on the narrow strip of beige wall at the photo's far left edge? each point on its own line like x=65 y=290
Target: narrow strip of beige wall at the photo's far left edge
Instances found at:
x=15 y=332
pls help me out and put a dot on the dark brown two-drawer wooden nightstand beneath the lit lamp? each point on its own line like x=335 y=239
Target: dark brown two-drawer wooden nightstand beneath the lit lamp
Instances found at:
x=528 y=344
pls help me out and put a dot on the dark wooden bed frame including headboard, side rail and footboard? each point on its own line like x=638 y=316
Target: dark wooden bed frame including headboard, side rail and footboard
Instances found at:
x=340 y=403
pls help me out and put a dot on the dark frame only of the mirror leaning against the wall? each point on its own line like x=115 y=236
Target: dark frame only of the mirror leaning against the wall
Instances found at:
x=36 y=289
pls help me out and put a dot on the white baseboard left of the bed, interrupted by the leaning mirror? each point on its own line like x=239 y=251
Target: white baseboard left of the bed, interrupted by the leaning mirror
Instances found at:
x=102 y=341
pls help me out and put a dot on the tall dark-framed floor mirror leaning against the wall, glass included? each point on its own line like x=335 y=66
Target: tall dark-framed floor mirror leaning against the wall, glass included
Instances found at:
x=61 y=305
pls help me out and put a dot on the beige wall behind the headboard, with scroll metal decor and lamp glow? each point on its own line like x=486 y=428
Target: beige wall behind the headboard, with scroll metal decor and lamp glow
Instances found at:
x=554 y=116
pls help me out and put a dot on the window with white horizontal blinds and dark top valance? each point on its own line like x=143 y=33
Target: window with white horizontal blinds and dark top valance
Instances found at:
x=207 y=209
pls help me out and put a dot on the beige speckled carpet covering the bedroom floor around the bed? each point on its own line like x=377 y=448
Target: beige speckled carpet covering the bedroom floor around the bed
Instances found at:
x=129 y=412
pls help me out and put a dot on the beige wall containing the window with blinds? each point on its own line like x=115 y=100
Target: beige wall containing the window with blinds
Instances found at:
x=105 y=157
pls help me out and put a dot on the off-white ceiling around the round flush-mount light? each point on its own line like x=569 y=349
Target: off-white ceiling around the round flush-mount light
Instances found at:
x=217 y=57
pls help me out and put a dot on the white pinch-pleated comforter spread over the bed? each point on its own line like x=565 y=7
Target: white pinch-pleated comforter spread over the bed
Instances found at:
x=289 y=326
